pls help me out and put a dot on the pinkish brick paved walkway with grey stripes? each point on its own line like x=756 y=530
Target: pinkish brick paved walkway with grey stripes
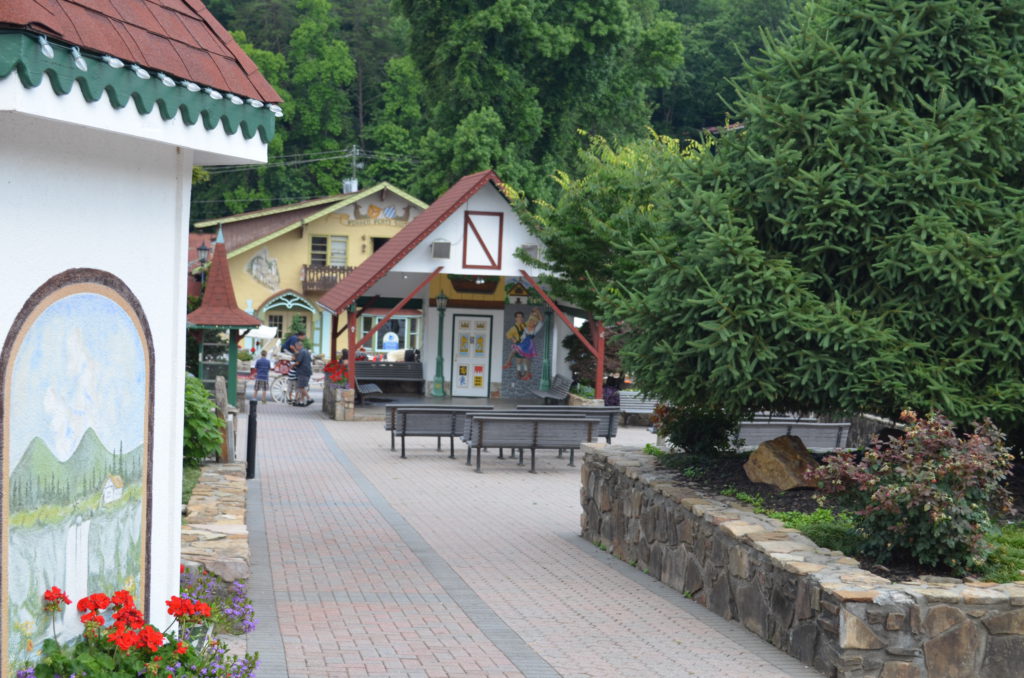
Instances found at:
x=365 y=565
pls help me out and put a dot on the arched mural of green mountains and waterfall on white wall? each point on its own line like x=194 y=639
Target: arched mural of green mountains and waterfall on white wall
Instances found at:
x=77 y=438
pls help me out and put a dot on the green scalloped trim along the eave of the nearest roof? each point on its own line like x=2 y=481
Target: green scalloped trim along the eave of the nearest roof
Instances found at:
x=20 y=52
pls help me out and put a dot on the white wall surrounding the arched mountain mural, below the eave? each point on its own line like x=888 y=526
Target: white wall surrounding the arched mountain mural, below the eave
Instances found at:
x=76 y=197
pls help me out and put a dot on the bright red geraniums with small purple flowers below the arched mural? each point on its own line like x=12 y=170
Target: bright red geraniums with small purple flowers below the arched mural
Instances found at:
x=129 y=648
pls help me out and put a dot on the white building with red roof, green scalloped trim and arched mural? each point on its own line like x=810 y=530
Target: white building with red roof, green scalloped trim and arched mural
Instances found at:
x=105 y=109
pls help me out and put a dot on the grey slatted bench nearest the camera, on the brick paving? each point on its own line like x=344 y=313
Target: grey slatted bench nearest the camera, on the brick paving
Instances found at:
x=535 y=433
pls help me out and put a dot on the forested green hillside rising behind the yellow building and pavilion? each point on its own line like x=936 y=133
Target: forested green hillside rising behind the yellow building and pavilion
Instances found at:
x=420 y=93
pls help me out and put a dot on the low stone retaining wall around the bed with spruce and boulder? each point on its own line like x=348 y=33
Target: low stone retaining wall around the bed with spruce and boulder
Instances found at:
x=816 y=605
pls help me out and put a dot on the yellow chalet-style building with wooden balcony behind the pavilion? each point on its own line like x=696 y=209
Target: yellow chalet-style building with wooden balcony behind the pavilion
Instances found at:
x=283 y=260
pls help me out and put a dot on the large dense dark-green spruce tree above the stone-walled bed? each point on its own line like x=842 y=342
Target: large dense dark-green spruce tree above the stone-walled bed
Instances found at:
x=858 y=247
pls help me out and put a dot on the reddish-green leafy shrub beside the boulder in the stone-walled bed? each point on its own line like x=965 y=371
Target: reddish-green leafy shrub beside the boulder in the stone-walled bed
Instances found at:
x=925 y=497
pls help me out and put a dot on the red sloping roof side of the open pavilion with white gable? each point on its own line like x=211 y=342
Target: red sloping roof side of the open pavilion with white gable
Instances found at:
x=381 y=262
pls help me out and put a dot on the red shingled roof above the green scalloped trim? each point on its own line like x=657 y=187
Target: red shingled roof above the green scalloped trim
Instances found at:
x=179 y=37
